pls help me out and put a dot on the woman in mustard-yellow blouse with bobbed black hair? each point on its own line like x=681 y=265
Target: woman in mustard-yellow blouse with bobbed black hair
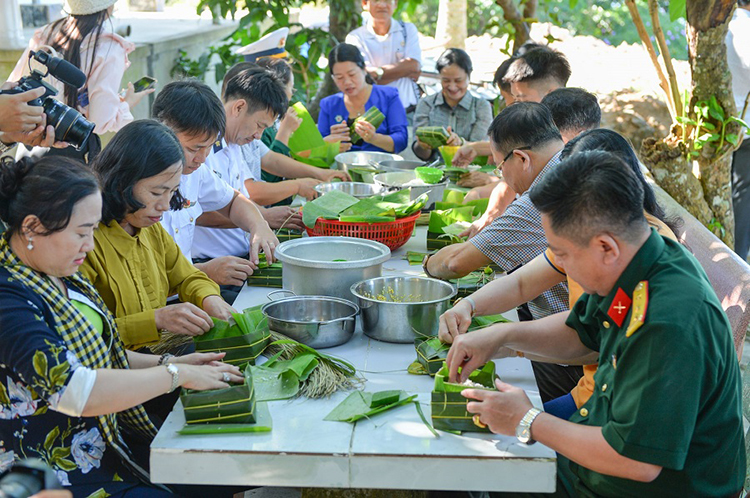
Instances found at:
x=135 y=264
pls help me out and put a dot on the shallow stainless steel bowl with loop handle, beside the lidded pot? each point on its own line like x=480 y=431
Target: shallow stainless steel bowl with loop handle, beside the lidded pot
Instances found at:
x=318 y=321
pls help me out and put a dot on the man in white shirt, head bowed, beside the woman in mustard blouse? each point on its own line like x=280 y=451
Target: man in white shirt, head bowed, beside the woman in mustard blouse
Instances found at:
x=196 y=115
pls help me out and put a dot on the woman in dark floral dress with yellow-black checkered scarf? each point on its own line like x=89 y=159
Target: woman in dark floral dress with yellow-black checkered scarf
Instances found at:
x=68 y=389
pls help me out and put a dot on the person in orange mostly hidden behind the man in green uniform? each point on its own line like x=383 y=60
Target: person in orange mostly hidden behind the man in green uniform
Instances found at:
x=542 y=272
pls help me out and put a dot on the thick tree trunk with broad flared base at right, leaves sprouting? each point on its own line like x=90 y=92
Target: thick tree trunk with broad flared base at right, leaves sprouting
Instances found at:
x=708 y=198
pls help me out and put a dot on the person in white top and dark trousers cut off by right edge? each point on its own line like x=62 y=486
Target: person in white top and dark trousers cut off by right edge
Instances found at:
x=738 y=58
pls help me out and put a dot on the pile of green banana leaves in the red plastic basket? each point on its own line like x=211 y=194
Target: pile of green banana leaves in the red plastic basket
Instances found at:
x=338 y=205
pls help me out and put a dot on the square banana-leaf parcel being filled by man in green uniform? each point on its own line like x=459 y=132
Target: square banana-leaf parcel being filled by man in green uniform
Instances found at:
x=449 y=407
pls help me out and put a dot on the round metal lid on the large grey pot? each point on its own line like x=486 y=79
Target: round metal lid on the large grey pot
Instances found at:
x=323 y=252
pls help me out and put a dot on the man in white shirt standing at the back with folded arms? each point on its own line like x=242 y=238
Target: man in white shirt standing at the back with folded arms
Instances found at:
x=391 y=50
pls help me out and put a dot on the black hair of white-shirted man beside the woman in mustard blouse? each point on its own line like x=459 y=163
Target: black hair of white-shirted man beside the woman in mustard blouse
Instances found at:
x=191 y=107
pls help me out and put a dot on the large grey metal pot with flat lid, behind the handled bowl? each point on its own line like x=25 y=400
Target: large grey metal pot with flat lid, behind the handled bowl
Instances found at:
x=328 y=266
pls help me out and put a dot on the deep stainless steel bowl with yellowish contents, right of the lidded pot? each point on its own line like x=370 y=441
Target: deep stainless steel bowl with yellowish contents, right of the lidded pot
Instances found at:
x=421 y=302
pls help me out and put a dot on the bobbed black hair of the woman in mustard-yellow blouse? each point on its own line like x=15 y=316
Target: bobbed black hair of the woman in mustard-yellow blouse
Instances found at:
x=141 y=149
